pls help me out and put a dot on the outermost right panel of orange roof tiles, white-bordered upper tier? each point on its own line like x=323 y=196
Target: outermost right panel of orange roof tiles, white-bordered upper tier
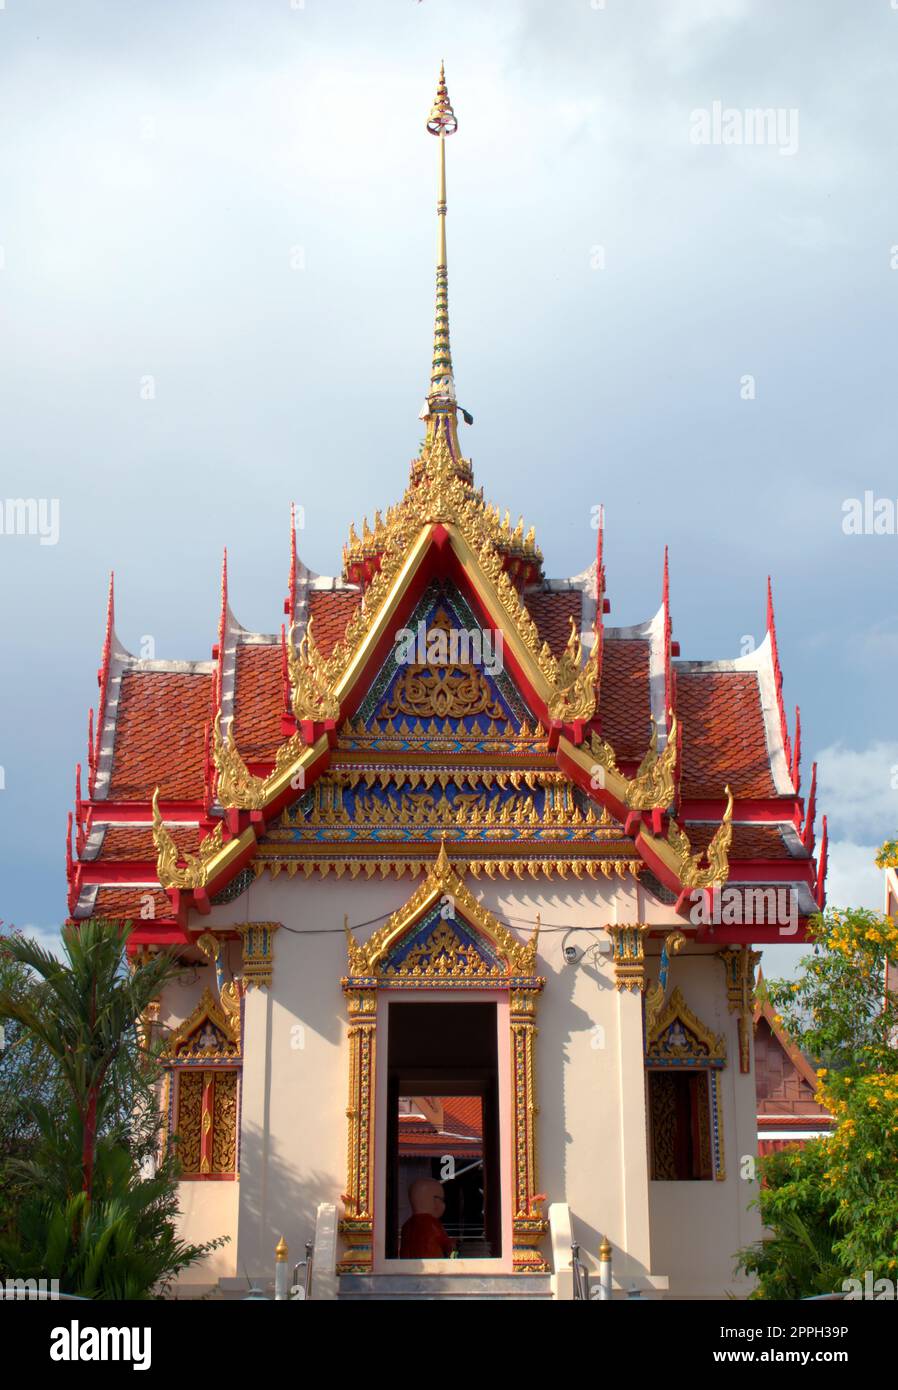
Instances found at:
x=724 y=735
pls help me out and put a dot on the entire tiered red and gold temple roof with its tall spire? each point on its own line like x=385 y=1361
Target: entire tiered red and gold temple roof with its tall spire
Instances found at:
x=689 y=767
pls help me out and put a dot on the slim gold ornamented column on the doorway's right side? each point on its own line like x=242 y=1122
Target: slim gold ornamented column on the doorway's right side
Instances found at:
x=529 y=1224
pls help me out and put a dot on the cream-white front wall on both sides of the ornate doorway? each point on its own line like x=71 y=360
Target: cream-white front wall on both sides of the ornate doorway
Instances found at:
x=591 y=1093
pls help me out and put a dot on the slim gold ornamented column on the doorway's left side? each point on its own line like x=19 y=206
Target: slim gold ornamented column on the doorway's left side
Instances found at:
x=358 y=1225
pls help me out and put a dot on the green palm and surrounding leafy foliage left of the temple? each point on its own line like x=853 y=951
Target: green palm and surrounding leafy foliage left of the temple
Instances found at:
x=87 y=1213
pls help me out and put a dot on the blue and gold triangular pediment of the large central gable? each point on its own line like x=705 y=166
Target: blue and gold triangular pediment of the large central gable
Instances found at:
x=446 y=746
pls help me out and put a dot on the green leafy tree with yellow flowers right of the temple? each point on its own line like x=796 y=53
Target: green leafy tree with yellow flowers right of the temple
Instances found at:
x=832 y=1207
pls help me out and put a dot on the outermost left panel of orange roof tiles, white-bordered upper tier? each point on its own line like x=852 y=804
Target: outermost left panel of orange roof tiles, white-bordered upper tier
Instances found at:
x=159 y=736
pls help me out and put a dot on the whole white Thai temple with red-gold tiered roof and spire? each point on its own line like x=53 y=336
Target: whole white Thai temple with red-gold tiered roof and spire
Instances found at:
x=471 y=889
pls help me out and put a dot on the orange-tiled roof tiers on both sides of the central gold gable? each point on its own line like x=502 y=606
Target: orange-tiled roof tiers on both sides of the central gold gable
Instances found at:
x=155 y=732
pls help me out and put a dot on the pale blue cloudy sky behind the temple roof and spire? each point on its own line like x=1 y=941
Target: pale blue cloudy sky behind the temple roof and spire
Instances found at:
x=216 y=298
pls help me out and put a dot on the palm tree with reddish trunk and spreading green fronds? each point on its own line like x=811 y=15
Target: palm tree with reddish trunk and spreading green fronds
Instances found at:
x=85 y=1010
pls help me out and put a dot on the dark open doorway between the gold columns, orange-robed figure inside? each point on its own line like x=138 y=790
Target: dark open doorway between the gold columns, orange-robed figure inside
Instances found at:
x=443 y=1136
